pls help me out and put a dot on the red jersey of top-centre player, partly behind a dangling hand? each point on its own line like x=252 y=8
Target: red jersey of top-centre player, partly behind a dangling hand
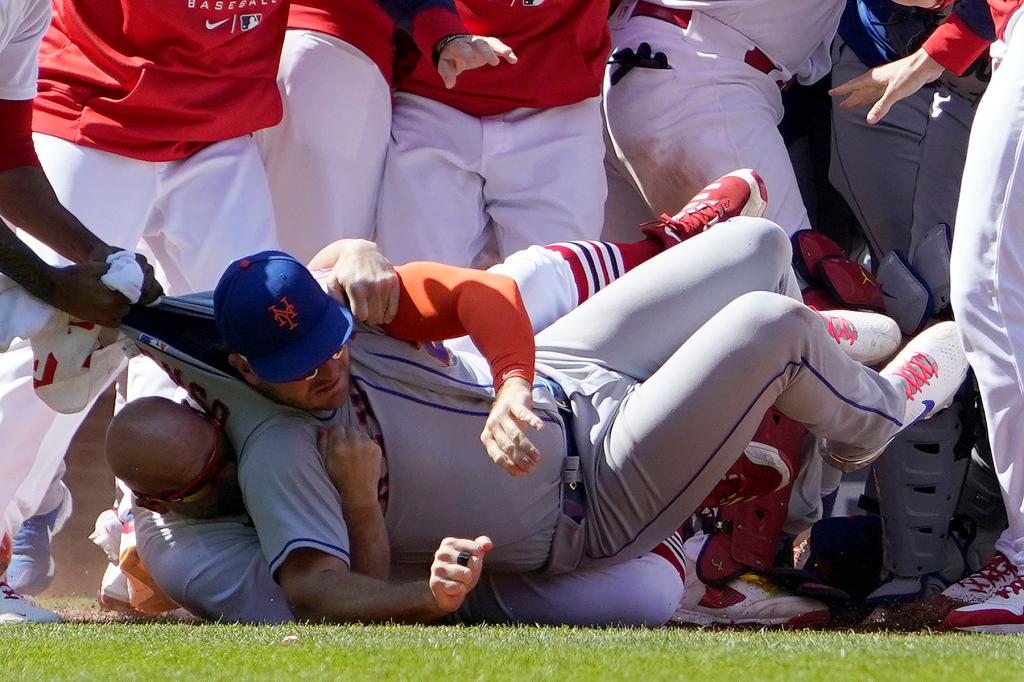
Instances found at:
x=562 y=45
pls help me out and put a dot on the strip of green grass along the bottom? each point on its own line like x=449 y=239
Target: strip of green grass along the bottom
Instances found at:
x=157 y=652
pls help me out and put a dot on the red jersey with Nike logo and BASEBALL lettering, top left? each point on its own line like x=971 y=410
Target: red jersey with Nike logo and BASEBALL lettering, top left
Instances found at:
x=159 y=81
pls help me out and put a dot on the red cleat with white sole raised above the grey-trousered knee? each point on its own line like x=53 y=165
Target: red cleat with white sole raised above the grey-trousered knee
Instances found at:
x=741 y=193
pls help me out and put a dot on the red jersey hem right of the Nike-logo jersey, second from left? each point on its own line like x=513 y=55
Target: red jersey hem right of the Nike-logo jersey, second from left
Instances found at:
x=362 y=24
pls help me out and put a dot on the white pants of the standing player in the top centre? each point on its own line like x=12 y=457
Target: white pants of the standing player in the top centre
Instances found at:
x=536 y=177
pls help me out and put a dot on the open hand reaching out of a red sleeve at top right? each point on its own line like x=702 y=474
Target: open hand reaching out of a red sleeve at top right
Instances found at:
x=888 y=84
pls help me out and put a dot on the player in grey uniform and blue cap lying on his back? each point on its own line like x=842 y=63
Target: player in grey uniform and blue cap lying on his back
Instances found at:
x=697 y=344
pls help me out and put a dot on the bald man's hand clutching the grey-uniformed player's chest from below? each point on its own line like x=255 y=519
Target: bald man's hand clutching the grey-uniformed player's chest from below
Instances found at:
x=353 y=460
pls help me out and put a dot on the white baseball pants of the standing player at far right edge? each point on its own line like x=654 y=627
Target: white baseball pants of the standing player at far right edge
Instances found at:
x=988 y=275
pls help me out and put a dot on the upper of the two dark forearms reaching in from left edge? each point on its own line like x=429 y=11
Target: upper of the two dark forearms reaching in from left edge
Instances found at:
x=28 y=201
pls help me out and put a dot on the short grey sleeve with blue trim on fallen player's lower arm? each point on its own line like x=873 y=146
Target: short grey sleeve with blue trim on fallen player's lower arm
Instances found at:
x=288 y=493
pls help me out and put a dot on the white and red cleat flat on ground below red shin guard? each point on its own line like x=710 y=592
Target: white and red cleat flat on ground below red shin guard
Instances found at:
x=748 y=601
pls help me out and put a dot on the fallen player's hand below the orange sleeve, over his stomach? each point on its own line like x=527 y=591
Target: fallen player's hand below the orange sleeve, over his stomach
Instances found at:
x=504 y=435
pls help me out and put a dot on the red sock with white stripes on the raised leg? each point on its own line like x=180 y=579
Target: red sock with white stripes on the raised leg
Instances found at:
x=596 y=265
